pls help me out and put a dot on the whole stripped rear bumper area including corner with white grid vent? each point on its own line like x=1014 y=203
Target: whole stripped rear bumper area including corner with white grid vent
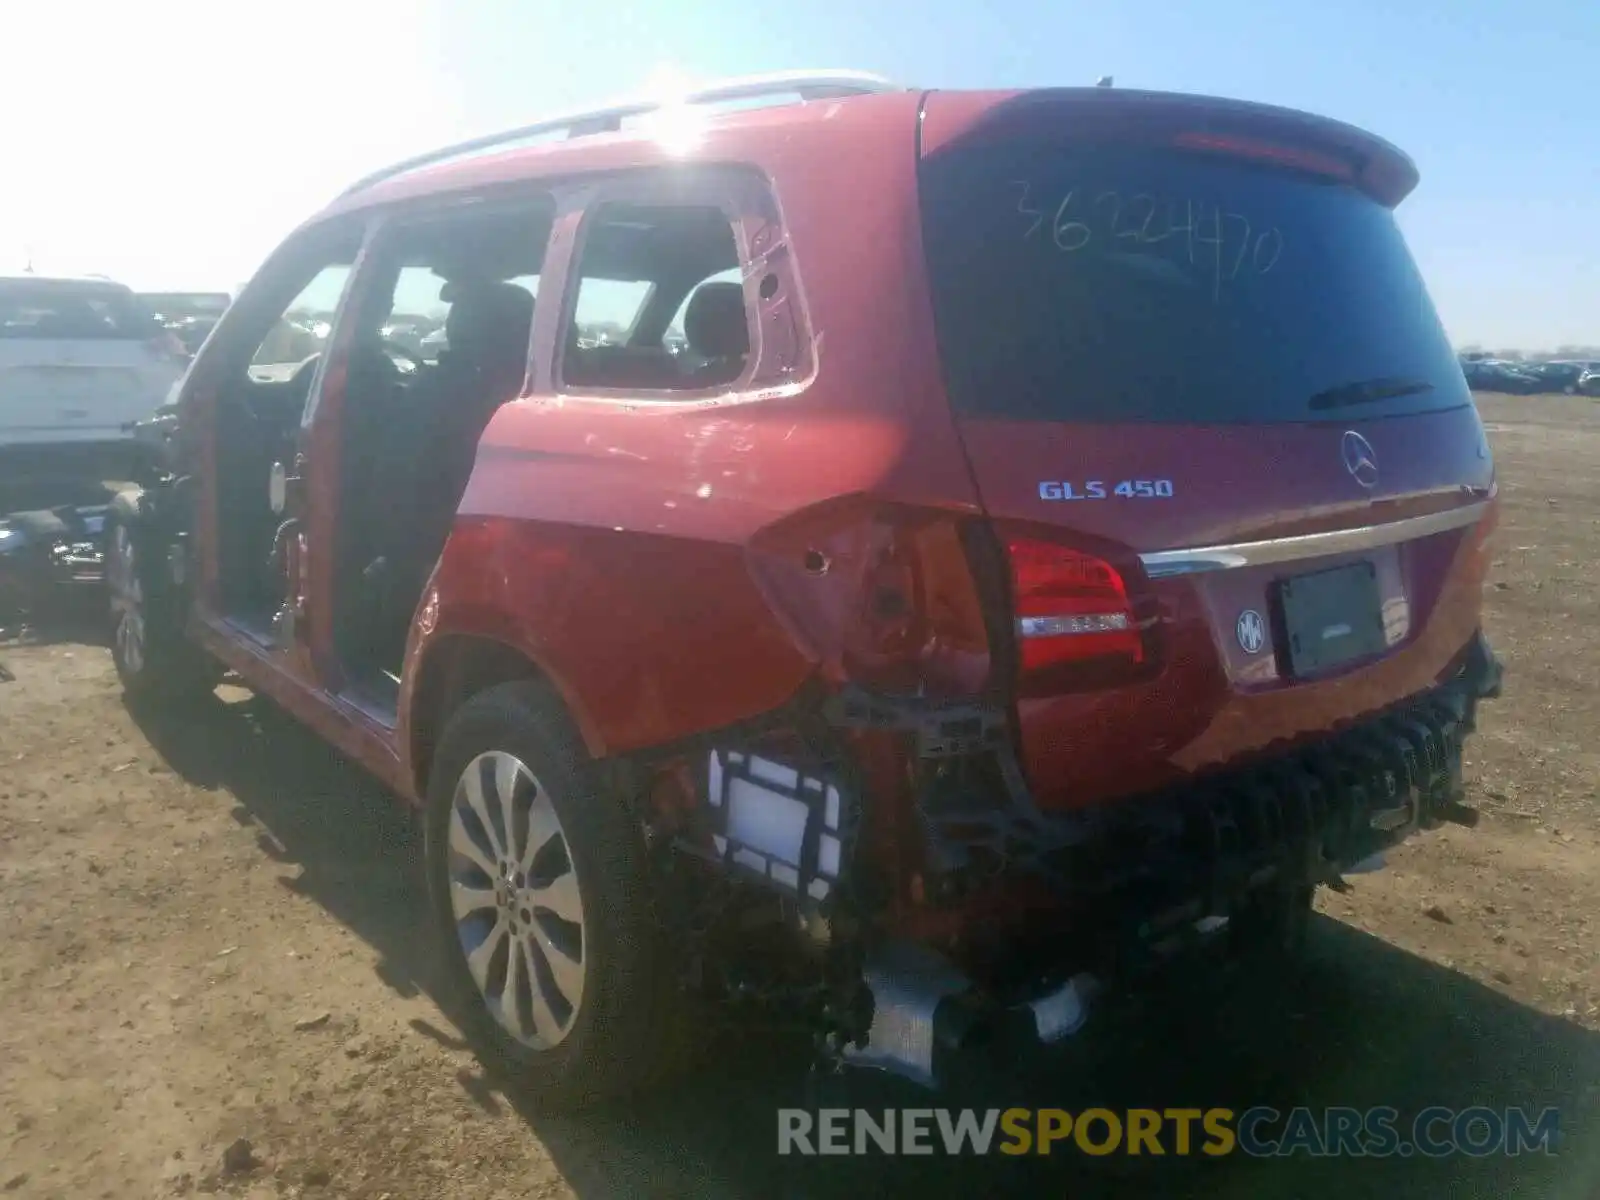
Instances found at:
x=1014 y=921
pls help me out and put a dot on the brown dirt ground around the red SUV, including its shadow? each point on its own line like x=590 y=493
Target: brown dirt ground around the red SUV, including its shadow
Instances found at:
x=212 y=932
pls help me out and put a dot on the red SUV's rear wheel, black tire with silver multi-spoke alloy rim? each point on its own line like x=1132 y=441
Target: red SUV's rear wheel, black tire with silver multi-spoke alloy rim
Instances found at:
x=593 y=1017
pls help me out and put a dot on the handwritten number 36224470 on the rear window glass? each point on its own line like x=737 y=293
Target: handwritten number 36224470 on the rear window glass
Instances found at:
x=1209 y=238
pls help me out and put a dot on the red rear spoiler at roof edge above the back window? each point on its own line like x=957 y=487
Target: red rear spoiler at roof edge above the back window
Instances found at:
x=1206 y=124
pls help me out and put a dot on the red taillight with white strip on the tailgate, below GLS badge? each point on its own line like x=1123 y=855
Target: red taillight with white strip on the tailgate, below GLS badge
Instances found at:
x=1071 y=609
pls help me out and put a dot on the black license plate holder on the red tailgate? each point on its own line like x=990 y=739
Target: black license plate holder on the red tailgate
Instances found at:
x=1332 y=618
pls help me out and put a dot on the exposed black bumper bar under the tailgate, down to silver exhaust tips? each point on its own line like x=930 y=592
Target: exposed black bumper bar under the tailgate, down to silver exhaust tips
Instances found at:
x=1154 y=881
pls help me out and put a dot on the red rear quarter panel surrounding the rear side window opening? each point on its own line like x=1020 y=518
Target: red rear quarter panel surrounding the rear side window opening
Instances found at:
x=607 y=538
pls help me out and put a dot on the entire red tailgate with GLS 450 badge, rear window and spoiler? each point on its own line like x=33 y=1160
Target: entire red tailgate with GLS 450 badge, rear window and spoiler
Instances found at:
x=1212 y=415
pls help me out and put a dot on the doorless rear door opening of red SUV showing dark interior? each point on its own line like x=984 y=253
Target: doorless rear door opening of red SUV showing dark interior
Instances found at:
x=412 y=423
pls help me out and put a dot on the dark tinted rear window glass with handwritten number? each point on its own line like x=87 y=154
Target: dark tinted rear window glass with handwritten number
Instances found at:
x=1100 y=284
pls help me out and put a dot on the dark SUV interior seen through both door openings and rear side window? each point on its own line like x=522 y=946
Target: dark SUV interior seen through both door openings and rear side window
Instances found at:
x=665 y=278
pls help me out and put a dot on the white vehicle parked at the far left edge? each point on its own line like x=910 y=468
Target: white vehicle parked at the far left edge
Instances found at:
x=79 y=362
